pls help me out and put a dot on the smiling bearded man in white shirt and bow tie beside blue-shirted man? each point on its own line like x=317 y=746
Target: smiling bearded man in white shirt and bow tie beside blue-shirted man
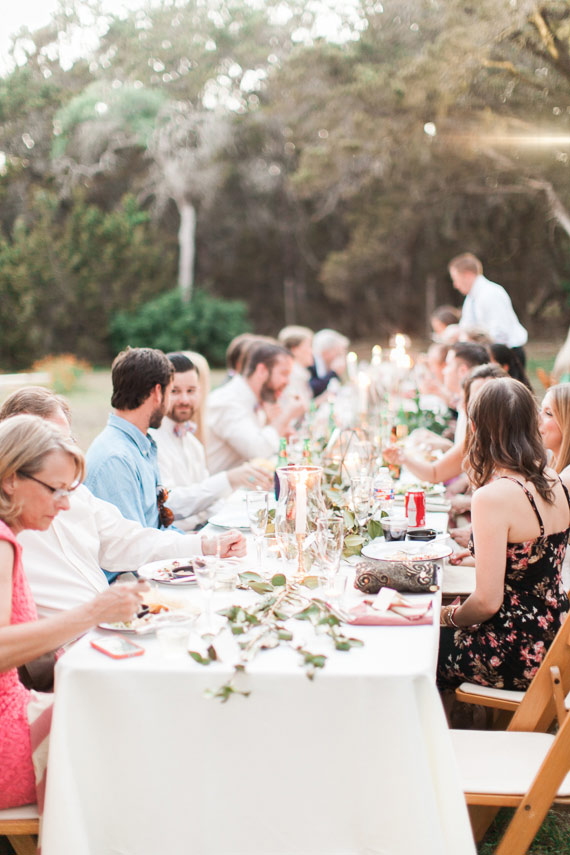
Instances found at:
x=181 y=459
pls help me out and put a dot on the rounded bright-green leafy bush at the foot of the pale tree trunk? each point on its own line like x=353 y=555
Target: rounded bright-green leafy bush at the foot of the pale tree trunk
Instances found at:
x=206 y=324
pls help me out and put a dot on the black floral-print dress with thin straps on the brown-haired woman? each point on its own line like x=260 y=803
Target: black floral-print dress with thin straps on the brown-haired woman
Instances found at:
x=506 y=650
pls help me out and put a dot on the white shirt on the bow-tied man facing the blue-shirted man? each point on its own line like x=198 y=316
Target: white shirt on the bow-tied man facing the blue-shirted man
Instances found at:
x=191 y=488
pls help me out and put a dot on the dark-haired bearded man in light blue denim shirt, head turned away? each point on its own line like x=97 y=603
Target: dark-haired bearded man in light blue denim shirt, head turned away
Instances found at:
x=122 y=463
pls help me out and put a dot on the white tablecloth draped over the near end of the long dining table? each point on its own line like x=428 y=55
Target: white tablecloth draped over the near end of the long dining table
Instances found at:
x=356 y=761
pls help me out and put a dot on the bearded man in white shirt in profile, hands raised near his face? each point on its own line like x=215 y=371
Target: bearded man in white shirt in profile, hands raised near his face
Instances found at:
x=244 y=417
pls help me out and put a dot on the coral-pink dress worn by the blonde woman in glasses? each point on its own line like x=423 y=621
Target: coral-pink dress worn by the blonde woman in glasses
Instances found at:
x=17 y=780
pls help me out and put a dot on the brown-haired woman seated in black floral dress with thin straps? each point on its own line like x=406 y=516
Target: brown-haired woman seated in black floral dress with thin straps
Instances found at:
x=521 y=519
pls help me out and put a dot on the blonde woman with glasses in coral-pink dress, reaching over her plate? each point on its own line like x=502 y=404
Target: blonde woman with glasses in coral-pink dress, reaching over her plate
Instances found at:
x=39 y=469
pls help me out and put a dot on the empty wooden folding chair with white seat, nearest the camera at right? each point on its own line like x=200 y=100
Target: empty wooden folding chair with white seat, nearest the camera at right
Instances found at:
x=524 y=766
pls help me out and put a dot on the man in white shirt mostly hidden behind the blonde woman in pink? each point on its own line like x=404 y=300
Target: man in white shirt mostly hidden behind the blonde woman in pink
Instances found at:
x=64 y=565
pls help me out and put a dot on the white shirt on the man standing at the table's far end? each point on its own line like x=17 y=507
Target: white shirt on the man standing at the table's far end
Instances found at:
x=488 y=307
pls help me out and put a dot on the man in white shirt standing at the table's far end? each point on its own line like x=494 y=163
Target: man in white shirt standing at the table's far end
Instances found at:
x=487 y=305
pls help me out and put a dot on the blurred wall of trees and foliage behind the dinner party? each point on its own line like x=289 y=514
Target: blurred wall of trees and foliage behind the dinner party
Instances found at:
x=318 y=169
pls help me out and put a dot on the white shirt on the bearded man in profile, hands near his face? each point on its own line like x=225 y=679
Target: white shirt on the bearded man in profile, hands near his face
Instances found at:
x=235 y=433
